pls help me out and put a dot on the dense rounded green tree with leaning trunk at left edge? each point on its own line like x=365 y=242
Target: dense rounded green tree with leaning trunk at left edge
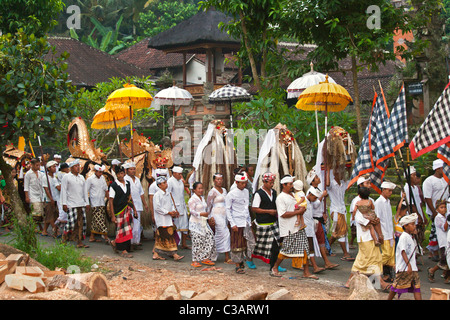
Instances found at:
x=33 y=95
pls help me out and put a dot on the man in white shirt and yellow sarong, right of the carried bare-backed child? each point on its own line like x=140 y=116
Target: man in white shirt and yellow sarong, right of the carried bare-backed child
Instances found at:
x=383 y=210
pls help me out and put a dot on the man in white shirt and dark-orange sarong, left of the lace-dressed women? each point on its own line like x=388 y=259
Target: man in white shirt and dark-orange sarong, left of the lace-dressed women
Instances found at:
x=164 y=212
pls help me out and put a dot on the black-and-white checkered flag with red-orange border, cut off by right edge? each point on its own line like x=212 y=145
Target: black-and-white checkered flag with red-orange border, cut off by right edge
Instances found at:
x=435 y=130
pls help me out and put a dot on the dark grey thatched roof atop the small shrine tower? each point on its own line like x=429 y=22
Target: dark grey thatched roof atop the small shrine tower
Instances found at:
x=196 y=33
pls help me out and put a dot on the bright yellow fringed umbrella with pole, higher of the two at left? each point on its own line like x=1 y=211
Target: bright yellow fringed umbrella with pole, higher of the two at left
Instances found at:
x=130 y=98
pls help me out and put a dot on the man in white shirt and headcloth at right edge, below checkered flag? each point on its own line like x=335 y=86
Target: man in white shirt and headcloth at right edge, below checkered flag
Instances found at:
x=434 y=188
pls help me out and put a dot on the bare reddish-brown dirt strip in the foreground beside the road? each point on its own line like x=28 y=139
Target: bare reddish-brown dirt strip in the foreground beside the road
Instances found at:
x=131 y=280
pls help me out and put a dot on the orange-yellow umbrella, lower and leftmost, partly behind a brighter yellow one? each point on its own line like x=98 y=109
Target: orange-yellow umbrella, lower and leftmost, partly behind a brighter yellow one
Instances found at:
x=108 y=119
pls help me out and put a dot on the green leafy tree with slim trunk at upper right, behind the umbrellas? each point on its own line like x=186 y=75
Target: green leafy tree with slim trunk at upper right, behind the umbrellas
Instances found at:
x=342 y=29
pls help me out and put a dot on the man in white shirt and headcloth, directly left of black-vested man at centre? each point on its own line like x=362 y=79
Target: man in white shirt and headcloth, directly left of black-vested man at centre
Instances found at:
x=237 y=207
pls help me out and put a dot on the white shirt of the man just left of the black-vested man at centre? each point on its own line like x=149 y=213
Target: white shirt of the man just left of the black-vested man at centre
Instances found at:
x=236 y=203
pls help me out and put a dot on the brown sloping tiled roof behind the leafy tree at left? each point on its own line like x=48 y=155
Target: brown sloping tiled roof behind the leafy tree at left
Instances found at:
x=88 y=66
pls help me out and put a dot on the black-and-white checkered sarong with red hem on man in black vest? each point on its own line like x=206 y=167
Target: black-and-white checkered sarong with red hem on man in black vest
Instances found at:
x=265 y=234
